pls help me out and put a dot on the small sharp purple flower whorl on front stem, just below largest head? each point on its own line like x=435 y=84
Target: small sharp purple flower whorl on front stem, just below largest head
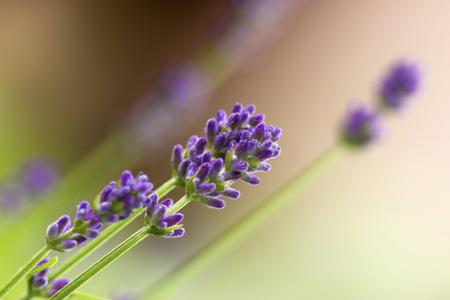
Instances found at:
x=159 y=223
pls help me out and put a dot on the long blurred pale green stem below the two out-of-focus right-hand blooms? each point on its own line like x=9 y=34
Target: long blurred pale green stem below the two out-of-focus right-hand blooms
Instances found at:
x=220 y=245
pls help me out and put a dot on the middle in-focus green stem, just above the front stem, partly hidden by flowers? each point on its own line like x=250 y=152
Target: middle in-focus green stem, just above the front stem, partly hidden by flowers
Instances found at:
x=108 y=233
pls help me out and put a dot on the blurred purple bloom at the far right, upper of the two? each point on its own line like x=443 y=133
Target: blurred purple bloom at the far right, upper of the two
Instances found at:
x=401 y=82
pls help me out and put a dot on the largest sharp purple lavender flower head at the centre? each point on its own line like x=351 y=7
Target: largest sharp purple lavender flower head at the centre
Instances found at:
x=234 y=147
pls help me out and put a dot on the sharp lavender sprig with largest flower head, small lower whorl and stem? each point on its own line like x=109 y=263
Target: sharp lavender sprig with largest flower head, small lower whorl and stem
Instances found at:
x=234 y=147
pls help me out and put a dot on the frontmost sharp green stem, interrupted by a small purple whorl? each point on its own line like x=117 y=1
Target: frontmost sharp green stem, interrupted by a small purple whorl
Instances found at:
x=111 y=256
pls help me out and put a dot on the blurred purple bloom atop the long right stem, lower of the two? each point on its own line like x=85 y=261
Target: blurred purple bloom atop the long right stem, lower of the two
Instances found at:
x=361 y=126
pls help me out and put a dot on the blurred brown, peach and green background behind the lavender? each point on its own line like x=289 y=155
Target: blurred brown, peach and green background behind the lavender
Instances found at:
x=76 y=77
